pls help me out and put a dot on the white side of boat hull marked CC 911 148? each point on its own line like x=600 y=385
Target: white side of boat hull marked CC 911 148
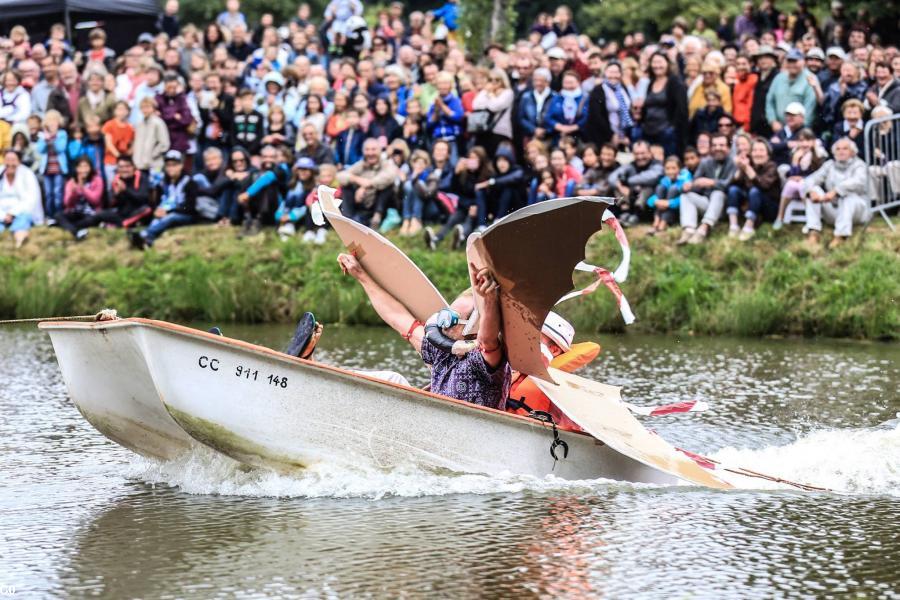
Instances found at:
x=267 y=409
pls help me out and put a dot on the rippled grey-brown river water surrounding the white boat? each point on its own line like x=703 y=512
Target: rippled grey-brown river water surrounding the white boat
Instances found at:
x=81 y=516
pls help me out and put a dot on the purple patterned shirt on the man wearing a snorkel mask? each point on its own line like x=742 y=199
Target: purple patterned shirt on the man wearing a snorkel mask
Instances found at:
x=467 y=377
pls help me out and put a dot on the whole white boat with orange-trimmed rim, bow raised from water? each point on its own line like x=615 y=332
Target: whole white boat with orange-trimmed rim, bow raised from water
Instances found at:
x=154 y=386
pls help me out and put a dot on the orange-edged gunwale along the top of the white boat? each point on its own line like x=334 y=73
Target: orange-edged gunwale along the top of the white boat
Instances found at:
x=257 y=349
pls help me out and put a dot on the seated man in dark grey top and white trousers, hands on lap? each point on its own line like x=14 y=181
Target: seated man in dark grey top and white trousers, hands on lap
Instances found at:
x=706 y=193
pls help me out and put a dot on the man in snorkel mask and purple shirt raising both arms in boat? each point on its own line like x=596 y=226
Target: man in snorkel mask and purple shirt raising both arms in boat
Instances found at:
x=473 y=371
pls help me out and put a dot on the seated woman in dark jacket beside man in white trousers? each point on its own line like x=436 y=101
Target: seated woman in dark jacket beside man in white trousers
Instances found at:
x=757 y=183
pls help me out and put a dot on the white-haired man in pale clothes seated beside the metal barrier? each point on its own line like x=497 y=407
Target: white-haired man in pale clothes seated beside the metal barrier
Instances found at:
x=836 y=192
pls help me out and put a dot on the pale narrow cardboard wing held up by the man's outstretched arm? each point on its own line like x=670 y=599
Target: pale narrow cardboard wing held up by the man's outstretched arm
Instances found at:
x=387 y=264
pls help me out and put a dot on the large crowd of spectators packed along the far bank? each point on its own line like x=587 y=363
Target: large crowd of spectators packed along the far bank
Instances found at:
x=235 y=123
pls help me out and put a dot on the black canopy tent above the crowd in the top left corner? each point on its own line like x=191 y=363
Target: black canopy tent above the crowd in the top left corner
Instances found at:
x=131 y=17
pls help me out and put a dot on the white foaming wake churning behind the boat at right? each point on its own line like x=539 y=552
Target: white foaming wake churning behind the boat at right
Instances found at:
x=852 y=461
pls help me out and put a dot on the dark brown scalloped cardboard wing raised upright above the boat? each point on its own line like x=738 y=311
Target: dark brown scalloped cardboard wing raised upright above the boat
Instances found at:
x=532 y=254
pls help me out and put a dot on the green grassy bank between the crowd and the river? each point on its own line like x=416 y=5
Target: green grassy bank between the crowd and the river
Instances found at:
x=770 y=286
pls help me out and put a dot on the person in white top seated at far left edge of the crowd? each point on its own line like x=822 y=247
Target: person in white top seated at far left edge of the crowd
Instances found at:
x=20 y=198
